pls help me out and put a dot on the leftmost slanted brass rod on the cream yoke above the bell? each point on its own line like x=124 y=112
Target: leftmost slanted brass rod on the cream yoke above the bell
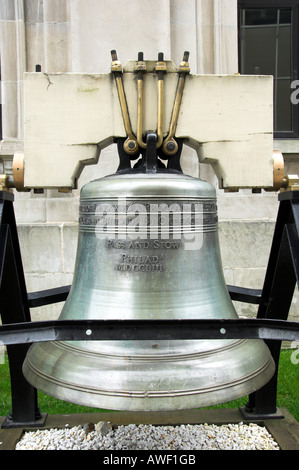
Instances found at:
x=130 y=145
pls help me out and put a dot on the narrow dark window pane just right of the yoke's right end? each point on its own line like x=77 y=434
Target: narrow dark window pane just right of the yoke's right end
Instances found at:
x=283 y=118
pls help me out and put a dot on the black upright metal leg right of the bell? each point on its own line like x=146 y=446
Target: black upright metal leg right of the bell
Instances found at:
x=281 y=277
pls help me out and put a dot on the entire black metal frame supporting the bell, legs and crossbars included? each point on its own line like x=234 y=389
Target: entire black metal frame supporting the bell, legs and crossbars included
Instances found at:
x=274 y=299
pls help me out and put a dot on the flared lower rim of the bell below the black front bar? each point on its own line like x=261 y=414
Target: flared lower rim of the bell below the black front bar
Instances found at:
x=147 y=383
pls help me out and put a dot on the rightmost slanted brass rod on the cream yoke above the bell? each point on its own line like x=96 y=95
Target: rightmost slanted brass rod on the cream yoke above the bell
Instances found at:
x=170 y=145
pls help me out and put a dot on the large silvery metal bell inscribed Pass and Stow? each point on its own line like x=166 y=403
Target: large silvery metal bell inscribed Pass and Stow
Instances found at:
x=148 y=249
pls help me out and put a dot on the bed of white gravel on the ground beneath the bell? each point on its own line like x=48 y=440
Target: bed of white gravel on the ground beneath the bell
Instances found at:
x=103 y=436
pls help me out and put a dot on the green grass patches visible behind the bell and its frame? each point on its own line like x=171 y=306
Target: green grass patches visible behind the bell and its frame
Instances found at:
x=287 y=391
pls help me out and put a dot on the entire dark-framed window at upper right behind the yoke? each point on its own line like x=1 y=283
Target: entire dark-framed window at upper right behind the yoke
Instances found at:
x=268 y=45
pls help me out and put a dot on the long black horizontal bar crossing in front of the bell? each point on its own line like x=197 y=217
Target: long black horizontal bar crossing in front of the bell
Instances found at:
x=74 y=330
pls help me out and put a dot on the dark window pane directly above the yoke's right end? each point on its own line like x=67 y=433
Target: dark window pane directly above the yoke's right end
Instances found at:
x=258 y=50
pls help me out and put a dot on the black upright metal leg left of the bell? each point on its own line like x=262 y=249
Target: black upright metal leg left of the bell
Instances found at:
x=14 y=308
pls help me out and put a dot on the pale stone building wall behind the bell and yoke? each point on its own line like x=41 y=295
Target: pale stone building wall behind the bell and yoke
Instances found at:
x=77 y=36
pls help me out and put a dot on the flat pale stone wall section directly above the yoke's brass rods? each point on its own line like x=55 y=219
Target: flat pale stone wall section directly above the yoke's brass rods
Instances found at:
x=91 y=45
